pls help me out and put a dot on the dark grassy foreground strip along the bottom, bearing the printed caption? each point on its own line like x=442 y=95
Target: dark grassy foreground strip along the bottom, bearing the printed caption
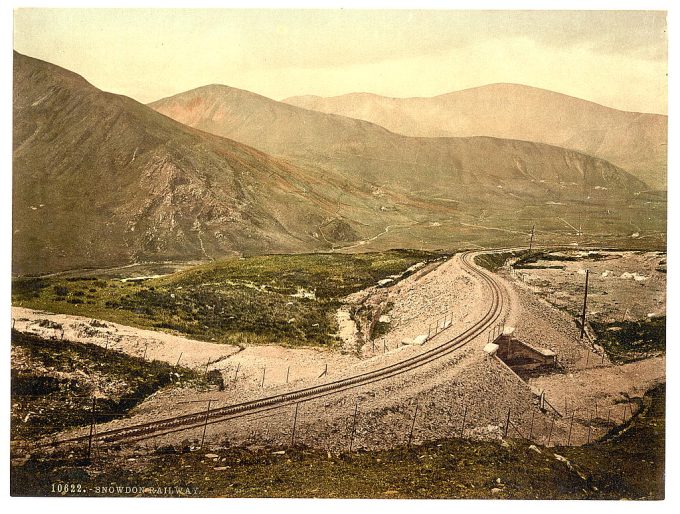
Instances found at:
x=630 y=464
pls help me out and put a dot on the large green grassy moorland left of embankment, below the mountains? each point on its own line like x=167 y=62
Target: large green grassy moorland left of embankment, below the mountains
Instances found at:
x=283 y=299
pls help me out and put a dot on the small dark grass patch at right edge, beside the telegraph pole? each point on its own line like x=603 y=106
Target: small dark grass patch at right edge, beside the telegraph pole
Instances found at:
x=629 y=341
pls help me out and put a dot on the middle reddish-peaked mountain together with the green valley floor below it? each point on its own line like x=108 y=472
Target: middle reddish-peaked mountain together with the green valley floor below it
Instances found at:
x=434 y=192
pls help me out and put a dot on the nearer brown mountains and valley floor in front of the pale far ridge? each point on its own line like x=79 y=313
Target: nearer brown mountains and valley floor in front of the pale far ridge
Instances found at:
x=102 y=180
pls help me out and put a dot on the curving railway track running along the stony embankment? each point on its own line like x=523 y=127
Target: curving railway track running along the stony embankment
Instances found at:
x=200 y=419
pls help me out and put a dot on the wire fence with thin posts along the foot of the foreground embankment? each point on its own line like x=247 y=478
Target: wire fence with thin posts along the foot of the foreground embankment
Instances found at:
x=355 y=425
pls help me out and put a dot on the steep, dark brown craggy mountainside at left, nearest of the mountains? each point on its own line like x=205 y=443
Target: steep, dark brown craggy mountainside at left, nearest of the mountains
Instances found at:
x=100 y=180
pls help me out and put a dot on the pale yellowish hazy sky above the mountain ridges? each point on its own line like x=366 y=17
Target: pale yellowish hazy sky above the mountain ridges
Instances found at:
x=617 y=58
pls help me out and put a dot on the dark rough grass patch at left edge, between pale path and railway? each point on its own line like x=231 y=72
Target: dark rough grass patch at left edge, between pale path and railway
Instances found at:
x=53 y=385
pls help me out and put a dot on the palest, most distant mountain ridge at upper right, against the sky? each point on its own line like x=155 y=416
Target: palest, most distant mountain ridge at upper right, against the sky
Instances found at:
x=633 y=141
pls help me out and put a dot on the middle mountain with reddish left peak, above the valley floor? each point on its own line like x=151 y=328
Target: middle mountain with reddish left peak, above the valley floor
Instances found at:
x=366 y=151
